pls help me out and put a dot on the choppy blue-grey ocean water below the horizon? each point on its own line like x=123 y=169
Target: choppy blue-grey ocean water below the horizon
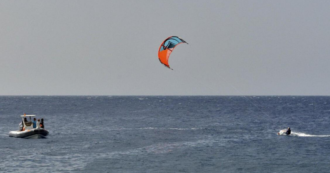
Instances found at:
x=161 y=134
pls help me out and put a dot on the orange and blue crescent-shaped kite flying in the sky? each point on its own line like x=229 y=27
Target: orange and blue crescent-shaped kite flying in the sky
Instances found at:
x=167 y=47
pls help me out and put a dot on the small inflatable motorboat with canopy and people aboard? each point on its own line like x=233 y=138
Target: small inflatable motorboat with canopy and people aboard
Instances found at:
x=27 y=130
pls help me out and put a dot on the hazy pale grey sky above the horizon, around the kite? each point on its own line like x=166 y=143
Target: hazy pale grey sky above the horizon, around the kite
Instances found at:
x=79 y=47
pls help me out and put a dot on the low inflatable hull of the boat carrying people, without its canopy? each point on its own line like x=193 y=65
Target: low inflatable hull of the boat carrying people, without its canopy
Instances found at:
x=34 y=133
